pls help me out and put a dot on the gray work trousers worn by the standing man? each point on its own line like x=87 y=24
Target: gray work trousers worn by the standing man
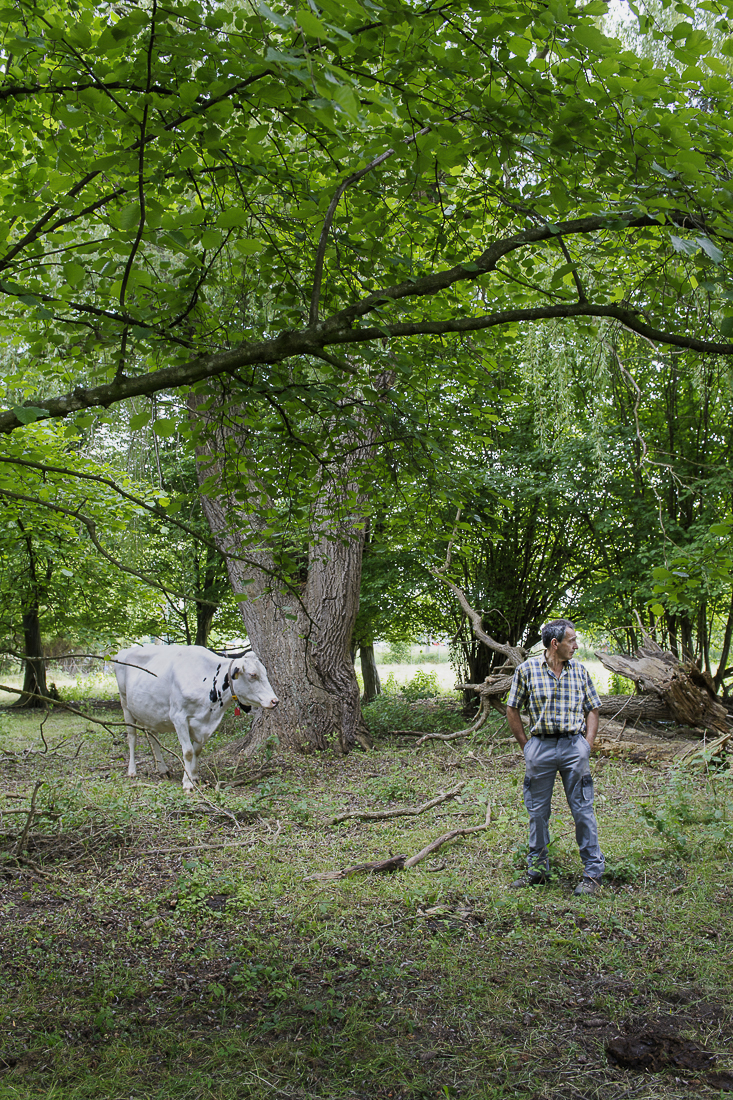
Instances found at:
x=571 y=757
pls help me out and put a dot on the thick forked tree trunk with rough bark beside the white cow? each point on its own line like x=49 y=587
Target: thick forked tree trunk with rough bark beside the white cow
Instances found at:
x=302 y=637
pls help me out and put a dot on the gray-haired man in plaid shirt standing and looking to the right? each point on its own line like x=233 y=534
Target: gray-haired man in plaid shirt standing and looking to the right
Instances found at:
x=564 y=708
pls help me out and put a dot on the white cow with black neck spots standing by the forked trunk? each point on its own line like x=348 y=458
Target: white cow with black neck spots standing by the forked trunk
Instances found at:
x=187 y=689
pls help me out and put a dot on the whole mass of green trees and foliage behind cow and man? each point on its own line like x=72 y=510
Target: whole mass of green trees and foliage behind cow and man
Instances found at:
x=296 y=299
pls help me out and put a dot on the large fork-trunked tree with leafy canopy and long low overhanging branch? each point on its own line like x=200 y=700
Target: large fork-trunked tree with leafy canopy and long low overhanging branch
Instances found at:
x=293 y=200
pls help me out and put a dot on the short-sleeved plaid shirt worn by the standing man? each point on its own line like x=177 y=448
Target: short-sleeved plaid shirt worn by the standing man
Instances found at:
x=555 y=706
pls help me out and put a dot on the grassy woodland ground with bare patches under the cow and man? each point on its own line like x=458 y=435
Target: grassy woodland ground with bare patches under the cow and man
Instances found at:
x=159 y=947
